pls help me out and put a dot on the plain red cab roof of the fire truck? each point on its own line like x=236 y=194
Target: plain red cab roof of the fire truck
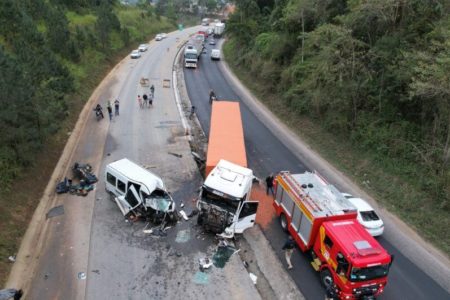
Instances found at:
x=356 y=242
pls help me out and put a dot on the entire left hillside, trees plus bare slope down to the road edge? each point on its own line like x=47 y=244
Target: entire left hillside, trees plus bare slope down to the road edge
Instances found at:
x=52 y=55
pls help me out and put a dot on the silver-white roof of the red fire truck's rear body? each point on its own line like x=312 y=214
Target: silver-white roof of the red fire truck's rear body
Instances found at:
x=318 y=196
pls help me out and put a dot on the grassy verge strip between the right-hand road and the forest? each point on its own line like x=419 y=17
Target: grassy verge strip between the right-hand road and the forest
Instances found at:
x=382 y=179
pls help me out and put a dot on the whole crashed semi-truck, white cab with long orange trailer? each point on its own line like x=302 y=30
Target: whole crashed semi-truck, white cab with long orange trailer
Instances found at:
x=224 y=202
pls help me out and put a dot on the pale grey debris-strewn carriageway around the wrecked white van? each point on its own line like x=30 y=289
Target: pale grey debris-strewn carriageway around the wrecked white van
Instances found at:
x=90 y=251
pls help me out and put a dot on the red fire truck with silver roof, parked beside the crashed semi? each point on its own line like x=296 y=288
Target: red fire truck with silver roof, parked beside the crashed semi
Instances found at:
x=324 y=223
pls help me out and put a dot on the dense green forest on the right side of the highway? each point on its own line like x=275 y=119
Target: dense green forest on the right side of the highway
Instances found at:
x=372 y=72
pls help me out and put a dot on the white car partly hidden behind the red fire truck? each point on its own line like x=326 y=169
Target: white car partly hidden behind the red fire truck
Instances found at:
x=367 y=217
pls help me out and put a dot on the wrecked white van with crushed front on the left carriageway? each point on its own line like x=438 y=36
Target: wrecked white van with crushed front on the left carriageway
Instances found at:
x=138 y=192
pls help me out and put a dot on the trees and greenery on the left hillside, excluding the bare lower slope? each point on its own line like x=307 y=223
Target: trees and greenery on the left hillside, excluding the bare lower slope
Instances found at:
x=47 y=49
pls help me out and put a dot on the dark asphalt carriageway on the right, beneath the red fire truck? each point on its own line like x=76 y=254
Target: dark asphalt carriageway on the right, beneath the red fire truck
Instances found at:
x=266 y=153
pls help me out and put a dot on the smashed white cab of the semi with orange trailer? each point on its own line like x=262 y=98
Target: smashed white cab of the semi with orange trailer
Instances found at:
x=224 y=202
